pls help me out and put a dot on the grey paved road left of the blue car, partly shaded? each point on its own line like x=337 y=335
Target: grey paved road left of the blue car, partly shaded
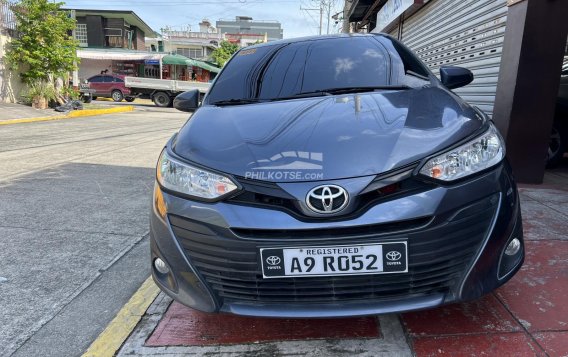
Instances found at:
x=74 y=201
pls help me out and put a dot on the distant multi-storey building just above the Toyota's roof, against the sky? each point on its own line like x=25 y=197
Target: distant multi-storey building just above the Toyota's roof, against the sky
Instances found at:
x=244 y=27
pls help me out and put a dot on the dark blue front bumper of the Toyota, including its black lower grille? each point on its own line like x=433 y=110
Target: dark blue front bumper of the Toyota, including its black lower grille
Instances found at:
x=456 y=236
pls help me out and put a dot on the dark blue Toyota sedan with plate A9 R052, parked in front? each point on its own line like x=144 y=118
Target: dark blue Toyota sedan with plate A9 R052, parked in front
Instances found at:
x=333 y=176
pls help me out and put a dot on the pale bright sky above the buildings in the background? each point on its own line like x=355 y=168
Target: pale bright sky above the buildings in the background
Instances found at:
x=179 y=14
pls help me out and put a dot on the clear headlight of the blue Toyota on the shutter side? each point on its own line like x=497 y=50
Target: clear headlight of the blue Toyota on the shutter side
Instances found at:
x=479 y=154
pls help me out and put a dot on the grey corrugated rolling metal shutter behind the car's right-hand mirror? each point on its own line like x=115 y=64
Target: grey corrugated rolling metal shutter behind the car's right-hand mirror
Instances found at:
x=467 y=33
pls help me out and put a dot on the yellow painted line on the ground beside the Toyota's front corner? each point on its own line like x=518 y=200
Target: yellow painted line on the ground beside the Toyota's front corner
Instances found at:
x=114 y=335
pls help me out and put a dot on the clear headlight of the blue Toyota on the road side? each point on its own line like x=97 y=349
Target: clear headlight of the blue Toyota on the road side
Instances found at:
x=186 y=179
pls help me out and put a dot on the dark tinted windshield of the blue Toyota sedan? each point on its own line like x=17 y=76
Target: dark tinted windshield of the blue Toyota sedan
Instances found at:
x=286 y=70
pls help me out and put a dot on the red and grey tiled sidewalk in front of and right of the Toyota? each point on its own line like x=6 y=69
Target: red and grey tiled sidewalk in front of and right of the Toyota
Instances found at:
x=528 y=316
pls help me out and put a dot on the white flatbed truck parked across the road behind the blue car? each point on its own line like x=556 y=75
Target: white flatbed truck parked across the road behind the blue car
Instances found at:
x=162 y=91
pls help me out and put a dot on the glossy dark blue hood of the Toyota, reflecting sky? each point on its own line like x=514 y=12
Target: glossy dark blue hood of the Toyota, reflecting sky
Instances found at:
x=326 y=138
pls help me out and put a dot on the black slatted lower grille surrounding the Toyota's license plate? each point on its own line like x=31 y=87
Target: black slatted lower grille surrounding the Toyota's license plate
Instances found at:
x=439 y=256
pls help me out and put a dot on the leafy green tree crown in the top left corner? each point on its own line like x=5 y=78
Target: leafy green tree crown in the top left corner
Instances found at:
x=44 y=46
